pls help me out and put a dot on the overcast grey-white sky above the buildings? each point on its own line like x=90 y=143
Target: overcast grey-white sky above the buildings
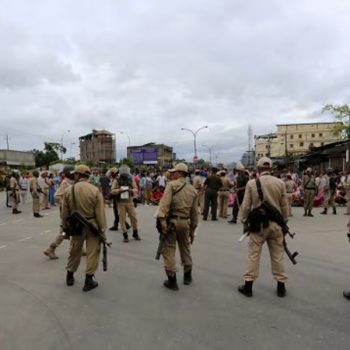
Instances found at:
x=150 y=67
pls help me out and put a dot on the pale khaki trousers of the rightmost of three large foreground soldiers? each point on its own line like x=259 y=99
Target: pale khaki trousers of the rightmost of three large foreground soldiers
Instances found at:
x=274 y=237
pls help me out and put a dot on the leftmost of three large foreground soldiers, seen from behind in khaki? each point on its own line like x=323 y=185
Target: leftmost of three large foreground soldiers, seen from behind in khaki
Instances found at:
x=90 y=203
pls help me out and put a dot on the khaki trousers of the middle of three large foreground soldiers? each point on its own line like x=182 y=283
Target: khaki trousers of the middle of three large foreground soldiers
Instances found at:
x=182 y=237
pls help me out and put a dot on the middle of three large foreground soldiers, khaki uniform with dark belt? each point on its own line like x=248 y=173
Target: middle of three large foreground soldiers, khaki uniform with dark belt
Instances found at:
x=178 y=206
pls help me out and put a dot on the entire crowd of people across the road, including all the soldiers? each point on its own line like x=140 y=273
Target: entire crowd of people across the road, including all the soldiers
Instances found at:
x=182 y=196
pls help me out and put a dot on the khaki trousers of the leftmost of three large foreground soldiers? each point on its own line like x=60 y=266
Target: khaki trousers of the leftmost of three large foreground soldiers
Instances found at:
x=93 y=248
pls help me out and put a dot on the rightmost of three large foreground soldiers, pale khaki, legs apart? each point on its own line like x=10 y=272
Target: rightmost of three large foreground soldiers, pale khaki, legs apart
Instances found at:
x=274 y=192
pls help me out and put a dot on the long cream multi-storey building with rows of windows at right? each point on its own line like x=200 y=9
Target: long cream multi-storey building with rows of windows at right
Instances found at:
x=295 y=139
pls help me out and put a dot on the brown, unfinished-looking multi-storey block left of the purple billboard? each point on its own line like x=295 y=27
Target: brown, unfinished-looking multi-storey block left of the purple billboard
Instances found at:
x=97 y=147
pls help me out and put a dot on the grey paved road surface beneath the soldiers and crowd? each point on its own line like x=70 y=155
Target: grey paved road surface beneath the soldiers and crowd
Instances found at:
x=131 y=310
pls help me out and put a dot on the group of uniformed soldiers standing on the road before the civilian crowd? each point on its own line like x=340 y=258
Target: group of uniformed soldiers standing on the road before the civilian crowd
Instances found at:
x=178 y=213
